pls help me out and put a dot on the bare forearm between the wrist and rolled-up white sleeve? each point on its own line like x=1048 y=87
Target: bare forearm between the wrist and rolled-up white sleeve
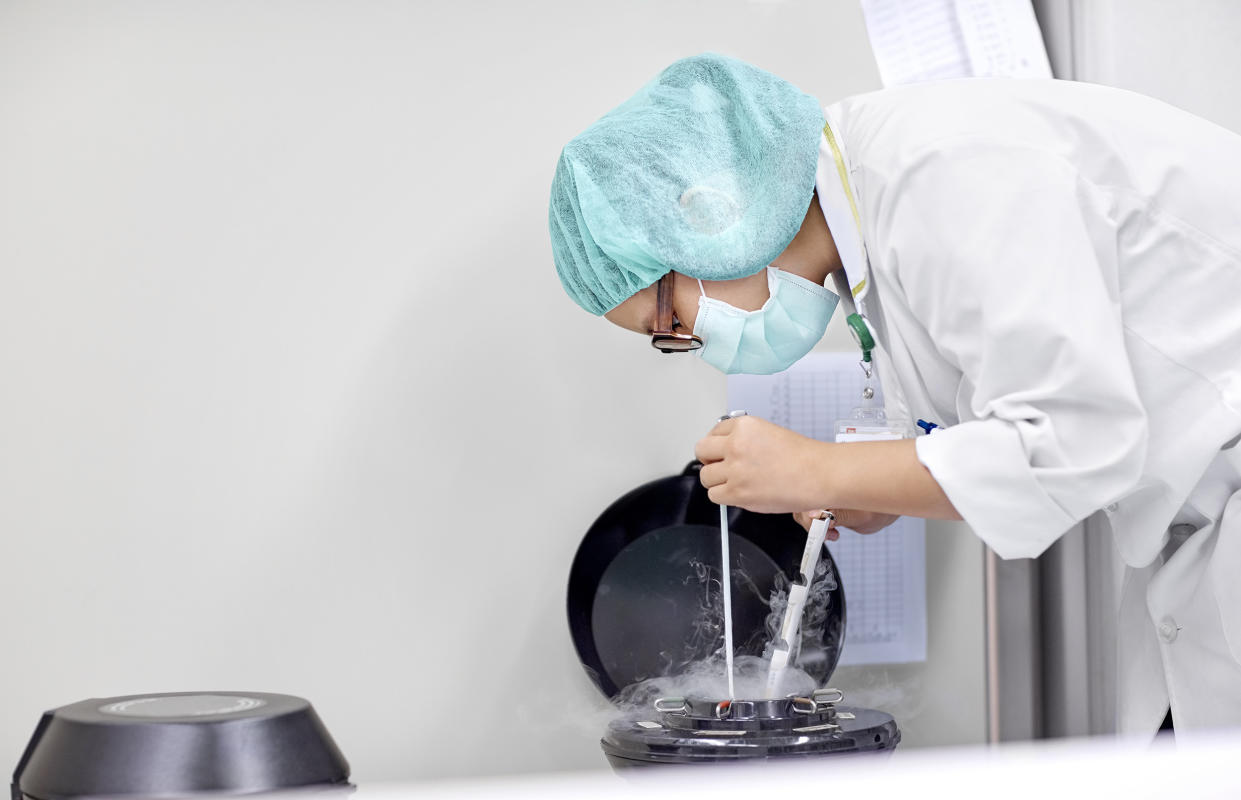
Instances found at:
x=884 y=477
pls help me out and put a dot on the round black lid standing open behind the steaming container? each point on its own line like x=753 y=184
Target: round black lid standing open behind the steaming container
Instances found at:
x=638 y=589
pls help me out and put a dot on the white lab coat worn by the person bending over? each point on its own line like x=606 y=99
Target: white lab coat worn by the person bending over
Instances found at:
x=1054 y=275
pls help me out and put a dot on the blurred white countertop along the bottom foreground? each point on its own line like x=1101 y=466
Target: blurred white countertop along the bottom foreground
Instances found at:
x=1208 y=768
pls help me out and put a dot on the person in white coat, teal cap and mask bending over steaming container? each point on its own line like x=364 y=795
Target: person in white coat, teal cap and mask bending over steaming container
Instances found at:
x=1051 y=272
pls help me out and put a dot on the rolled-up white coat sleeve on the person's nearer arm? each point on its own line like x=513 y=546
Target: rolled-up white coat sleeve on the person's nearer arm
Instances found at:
x=1008 y=257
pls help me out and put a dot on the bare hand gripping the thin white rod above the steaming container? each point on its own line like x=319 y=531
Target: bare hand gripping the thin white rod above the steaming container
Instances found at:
x=758 y=466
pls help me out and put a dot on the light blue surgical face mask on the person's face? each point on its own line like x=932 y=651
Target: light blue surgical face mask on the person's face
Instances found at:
x=773 y=338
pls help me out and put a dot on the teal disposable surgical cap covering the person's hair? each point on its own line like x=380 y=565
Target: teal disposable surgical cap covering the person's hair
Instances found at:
x=708 y=171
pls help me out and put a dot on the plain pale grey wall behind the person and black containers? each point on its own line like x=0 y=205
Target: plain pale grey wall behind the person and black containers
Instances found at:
x=291 y=399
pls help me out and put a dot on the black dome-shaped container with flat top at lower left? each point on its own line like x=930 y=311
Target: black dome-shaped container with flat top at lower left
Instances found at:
x=147 y=746
